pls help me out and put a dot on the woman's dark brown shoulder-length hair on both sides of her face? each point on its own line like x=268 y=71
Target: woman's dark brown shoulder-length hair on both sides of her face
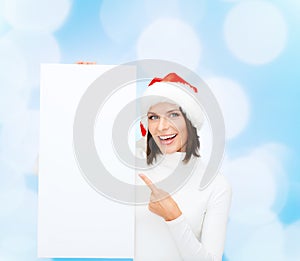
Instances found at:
x=192 y=145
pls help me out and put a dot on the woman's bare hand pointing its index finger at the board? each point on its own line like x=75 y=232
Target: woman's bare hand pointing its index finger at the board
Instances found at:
x=161 y=203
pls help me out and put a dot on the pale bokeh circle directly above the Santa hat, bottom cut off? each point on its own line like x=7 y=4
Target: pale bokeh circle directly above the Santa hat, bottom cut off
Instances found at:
x=170 y=39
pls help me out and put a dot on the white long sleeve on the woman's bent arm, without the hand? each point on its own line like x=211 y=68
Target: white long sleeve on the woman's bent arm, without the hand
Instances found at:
x=210 y=245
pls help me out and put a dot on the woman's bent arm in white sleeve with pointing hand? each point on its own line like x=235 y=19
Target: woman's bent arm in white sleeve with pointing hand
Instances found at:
x=210 y=247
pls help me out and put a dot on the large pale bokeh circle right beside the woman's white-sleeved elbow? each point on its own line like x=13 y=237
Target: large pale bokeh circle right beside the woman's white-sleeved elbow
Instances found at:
x=254 y=172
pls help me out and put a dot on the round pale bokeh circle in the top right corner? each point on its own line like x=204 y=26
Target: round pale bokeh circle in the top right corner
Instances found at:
x=251 y=35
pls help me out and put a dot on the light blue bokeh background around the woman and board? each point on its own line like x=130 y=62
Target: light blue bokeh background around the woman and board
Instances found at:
x=211 y=38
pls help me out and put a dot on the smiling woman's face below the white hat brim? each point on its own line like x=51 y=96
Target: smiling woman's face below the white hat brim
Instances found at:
x=167 y=126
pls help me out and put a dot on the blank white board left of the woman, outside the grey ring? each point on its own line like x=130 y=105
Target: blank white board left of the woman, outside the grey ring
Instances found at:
x=73 y=219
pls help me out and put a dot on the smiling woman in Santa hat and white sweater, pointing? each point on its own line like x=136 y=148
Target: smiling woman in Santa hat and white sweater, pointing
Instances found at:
x=191 y=223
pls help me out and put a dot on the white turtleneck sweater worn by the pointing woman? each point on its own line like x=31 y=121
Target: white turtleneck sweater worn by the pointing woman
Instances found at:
x=199 y=233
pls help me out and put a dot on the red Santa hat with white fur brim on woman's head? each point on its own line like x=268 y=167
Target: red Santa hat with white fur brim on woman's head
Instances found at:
x=173 y=89
